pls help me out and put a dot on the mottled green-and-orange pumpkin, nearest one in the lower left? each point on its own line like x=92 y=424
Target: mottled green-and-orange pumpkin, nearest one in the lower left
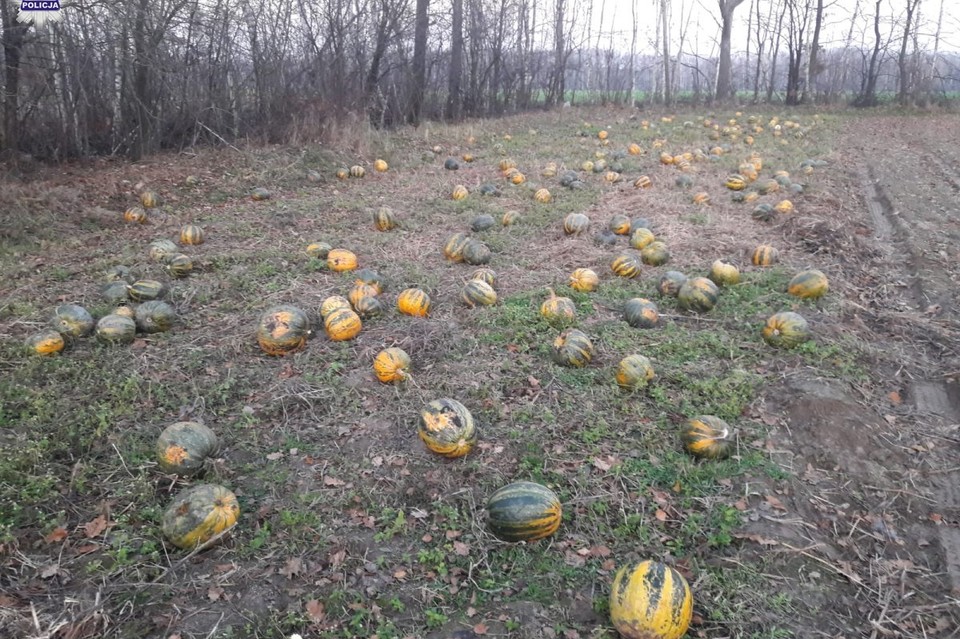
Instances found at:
x=199 y=514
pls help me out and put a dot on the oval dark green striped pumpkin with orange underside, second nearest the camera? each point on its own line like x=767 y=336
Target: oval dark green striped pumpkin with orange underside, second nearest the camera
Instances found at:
x=523 y=511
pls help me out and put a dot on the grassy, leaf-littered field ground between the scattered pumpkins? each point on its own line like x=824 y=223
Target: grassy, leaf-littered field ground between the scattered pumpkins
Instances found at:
x=349 y=526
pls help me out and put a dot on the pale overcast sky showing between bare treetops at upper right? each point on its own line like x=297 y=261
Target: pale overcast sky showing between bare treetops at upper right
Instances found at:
x=838 y=15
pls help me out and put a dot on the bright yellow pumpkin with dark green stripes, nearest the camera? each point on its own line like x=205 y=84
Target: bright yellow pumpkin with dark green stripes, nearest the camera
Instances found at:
x=650 y=600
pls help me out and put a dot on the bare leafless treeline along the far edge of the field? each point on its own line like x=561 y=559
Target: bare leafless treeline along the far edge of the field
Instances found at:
x=136 y=77
